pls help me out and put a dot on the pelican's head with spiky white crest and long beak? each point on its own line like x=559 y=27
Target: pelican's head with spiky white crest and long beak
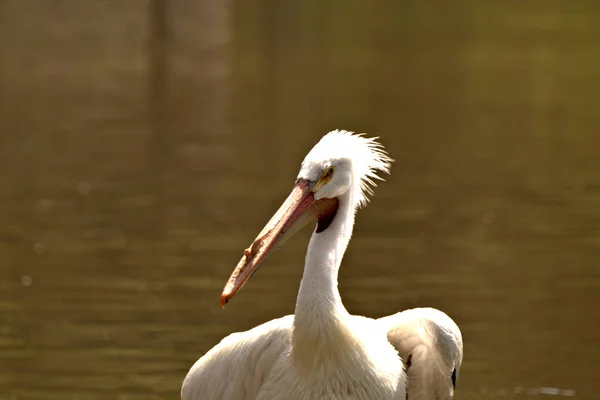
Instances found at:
x=341 y=165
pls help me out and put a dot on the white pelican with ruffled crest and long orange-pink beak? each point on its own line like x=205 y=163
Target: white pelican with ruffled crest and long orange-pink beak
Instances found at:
x=322 y=351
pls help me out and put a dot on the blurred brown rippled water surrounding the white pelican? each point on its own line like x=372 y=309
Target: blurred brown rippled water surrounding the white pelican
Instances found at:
x=144 y=144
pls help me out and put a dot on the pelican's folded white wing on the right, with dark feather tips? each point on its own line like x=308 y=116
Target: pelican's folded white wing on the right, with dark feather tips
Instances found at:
x=430 y=344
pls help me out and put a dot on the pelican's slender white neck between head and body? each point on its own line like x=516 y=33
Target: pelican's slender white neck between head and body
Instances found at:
x=320 y=317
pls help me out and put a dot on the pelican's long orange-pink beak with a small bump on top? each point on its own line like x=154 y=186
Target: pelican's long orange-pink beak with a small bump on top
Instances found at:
x=296 y=211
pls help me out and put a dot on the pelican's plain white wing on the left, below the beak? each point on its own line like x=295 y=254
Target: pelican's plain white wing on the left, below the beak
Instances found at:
x=237 y=367
